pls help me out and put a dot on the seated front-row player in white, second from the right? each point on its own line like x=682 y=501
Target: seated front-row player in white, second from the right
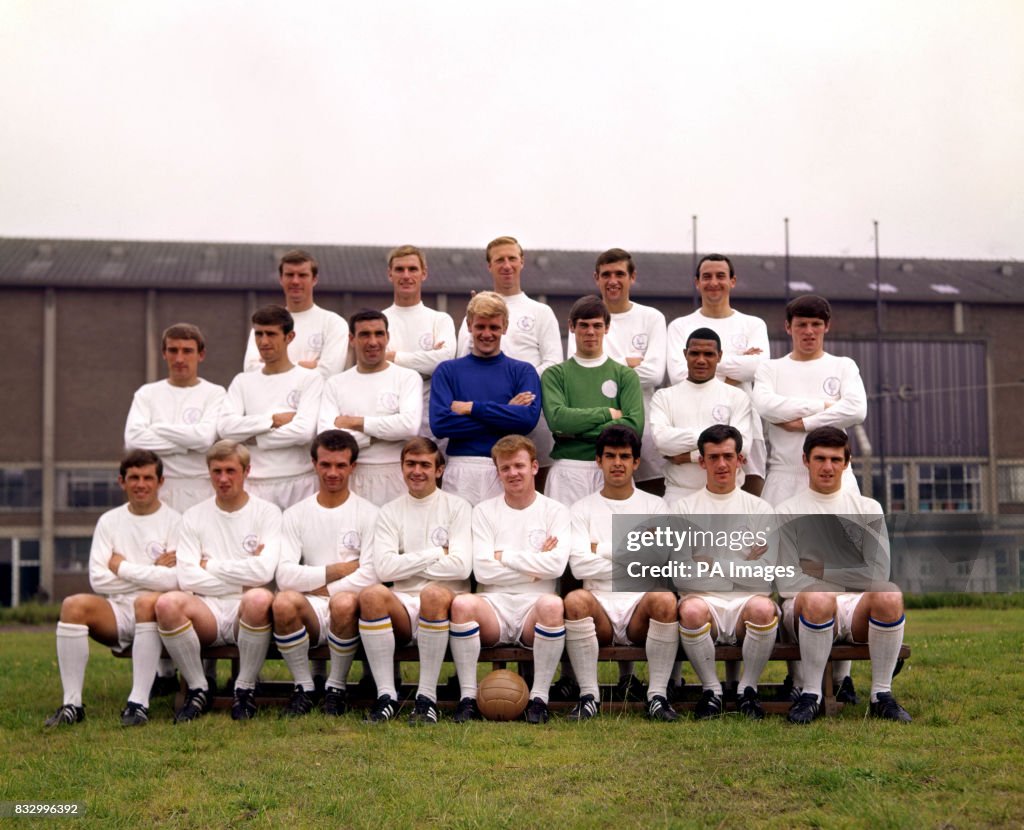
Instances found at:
x=719 y=607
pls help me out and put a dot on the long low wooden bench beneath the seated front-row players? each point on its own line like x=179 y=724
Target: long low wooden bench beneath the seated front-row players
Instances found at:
x=775 y=697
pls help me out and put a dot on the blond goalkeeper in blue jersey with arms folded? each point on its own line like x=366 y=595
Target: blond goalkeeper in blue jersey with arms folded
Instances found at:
x=480 y=399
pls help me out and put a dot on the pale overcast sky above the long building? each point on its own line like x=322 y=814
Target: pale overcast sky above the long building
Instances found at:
x=571 y=125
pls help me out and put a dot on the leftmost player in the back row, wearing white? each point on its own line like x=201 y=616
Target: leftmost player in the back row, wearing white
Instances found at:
x=321 y=337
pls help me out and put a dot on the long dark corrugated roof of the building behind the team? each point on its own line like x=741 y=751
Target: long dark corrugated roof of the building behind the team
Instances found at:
x=207 y=266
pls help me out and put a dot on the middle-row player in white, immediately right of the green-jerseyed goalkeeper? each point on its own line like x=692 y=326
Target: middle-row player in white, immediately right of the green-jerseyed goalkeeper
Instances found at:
x=678 y=414
